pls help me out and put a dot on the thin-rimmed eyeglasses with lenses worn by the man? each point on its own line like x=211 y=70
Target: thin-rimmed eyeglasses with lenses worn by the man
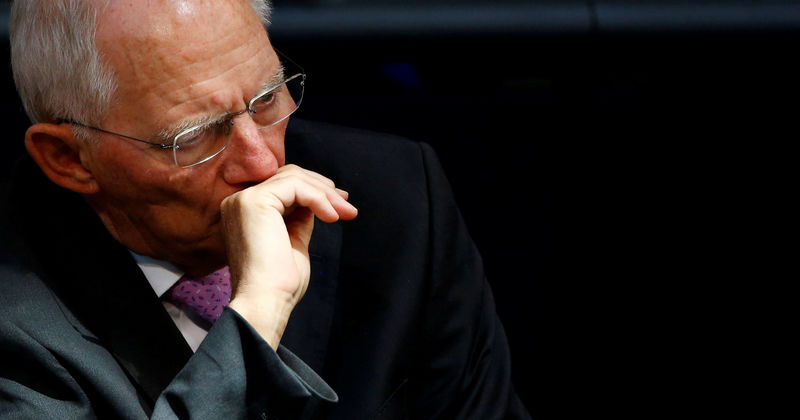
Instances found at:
x=200 y=143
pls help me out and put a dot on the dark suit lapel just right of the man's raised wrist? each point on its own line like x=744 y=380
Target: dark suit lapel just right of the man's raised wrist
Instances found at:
x=308 y=331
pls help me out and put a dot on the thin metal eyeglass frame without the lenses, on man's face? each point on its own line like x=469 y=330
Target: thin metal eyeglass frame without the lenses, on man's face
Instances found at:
x=229 y=116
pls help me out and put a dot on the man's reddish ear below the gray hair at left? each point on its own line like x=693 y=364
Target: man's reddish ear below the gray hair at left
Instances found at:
x=58 y=153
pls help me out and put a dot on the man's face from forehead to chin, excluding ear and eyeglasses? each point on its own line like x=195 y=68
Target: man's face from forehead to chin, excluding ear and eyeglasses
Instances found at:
x=180 y=61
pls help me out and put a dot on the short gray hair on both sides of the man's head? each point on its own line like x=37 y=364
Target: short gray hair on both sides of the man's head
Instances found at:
x=59 y=73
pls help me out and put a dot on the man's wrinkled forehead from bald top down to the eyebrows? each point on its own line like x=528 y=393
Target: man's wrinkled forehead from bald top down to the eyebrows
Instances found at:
x=177 y=58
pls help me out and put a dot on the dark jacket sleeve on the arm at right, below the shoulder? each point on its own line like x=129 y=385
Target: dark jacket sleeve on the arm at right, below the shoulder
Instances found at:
x=466 y=369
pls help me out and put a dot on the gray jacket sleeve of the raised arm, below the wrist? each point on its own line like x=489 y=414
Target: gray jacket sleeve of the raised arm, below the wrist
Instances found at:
x=236 y=374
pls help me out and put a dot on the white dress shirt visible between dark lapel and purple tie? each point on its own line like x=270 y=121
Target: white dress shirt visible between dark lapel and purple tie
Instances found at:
x=163 y=275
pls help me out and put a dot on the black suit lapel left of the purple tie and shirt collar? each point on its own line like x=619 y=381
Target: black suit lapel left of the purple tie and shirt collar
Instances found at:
x=100 y=283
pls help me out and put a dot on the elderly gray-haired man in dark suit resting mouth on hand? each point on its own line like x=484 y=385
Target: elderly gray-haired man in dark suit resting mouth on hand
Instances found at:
x=160 y=270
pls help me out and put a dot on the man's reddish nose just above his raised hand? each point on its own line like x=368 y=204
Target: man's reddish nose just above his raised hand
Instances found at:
x=253 y=154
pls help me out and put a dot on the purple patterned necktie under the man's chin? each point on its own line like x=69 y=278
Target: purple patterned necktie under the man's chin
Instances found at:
x=204 y=297
